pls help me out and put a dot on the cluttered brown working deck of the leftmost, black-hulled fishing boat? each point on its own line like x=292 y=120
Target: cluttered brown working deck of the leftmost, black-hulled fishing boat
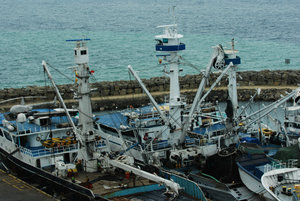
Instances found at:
x=116 y=186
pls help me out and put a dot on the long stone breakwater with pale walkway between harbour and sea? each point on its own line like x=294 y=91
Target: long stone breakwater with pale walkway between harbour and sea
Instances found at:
x=121 y=94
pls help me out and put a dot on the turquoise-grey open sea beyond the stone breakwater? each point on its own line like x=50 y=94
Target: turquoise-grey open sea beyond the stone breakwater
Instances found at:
x=122 y=33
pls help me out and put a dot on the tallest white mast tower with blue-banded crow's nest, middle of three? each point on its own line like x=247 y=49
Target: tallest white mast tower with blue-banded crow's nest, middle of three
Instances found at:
x=169 y=44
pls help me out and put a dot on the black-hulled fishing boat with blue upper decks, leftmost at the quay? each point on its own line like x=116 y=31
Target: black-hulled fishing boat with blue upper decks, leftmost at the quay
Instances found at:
x=61 y=150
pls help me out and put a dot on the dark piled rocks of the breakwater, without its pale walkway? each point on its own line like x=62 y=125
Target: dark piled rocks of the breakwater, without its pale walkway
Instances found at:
x=161 y=84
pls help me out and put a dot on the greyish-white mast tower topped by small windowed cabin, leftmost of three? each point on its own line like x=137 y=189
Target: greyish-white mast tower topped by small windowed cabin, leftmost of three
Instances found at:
x=85 y=125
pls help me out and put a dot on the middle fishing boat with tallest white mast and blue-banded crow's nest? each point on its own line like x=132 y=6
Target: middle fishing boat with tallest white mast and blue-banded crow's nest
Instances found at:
x=174 y=134
